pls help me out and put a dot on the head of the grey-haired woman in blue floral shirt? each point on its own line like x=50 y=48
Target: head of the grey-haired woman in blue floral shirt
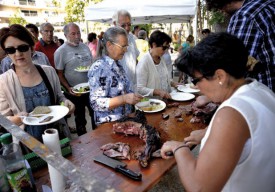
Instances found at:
x=115 y=42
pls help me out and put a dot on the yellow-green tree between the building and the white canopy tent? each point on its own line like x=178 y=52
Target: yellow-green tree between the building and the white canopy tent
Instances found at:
x=75 y=9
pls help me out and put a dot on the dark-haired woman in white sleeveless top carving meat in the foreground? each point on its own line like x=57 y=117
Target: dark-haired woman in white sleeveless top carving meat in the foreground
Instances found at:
x=237 y=151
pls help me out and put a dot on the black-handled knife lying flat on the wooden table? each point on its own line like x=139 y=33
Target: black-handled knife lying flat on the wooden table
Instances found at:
x=118 y=166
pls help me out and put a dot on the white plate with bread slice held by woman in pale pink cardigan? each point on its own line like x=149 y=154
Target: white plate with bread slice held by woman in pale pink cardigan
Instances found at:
x=43 y=115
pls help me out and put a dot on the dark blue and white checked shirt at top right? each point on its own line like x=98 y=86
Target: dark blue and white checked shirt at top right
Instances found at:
x=254 y=24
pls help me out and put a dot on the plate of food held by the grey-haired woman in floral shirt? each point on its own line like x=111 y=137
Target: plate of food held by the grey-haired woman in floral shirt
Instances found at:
x=150 y=105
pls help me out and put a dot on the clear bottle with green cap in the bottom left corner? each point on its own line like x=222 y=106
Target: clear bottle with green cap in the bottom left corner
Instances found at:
x=16 y=170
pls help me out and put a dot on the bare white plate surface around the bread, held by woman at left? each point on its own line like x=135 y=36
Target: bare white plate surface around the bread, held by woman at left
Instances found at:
x=57 y=111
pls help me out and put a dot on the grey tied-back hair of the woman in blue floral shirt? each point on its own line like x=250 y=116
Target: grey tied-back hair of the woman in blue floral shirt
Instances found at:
x=111 y=35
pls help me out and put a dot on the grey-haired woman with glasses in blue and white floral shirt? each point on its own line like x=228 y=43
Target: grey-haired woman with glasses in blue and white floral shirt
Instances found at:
x=110 y=94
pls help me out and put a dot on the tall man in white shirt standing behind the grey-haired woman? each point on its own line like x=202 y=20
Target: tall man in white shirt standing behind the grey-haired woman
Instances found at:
x=122 y=18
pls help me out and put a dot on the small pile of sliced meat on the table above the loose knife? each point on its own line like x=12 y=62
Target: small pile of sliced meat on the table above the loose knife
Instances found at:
x=117 y=150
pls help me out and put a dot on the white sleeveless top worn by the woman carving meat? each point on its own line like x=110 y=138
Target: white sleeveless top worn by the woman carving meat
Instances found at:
x=255 y=170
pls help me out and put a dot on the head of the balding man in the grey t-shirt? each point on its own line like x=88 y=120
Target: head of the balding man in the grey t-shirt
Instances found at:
x=72 y=34
